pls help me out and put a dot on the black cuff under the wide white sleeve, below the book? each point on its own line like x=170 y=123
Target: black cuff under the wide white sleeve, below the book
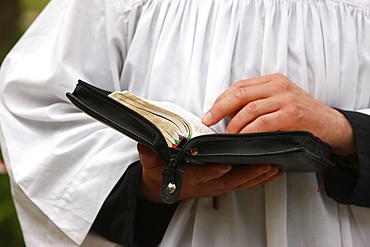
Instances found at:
x=130 y=221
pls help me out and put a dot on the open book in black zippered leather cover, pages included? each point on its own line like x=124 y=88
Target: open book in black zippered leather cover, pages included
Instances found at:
x=179 y=137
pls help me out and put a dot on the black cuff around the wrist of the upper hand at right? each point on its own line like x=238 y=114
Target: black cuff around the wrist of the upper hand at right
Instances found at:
x=342 y=184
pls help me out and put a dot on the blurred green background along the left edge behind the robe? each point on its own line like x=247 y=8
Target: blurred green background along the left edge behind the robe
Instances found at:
x=15 y=18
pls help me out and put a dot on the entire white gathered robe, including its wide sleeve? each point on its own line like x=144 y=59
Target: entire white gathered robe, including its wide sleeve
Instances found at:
x=63 y=164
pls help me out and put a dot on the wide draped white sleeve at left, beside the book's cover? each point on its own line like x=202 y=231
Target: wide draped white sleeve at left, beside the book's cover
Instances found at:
x=62 y=163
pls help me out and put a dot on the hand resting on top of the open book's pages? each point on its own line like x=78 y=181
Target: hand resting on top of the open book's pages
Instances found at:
x=273 y=102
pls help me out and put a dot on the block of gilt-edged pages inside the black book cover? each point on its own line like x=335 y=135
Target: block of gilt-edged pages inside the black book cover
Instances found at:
x=174 y=122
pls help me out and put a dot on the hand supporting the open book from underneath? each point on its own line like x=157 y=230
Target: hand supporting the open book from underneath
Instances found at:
x=202 y=181
